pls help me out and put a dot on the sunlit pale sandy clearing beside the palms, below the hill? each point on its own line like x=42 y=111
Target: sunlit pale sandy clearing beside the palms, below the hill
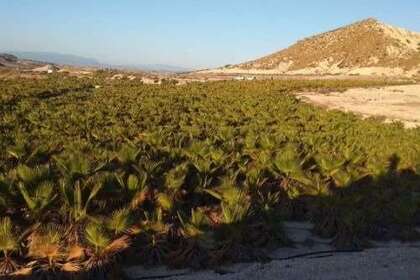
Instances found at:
x=401 y=103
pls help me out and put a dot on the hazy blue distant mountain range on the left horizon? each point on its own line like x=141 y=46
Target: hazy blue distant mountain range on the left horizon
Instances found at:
x=74 y=60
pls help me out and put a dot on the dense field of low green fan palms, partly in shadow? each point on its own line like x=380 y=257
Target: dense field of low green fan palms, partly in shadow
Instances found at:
x=193 y=175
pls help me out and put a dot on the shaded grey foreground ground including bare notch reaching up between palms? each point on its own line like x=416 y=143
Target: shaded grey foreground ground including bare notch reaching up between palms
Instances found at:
x=311 y=258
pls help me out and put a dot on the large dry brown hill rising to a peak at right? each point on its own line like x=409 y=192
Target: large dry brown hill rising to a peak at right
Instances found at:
x=366 y=47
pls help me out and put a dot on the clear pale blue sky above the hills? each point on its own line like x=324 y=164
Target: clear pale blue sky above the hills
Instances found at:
x=189 y=33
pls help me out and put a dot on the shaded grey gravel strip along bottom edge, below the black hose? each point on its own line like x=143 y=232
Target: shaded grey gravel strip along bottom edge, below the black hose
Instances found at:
x=375 y=264
